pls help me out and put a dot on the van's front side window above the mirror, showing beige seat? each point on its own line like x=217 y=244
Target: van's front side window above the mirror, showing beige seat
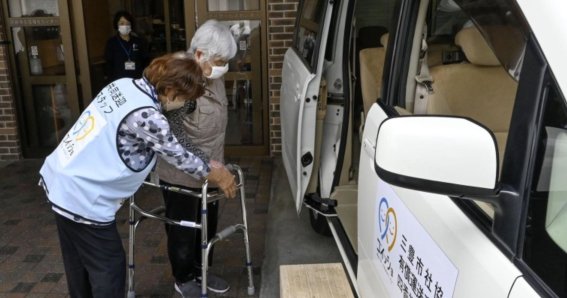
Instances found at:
x=461 y=57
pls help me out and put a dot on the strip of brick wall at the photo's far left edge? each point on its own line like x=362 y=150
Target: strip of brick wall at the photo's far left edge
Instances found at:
x=9 y=138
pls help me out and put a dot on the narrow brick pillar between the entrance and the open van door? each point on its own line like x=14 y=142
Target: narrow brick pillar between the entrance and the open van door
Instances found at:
x=281 y=24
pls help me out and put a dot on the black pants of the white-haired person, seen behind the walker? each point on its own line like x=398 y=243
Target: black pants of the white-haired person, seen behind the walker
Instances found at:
x=184 y=244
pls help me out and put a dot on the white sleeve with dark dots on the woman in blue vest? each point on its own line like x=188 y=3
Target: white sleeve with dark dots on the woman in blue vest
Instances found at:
x=148 y=130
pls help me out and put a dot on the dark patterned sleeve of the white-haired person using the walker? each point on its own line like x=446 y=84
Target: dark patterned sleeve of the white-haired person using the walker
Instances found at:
x=175 y=118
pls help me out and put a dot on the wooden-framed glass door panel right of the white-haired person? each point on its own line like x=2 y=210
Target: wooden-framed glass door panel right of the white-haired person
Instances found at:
x=246 y=81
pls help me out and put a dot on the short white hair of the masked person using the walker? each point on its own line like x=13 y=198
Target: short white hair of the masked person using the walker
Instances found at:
x=214 y=40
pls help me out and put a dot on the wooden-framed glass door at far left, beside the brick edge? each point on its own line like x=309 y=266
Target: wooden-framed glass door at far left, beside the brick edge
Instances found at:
x=45 y=80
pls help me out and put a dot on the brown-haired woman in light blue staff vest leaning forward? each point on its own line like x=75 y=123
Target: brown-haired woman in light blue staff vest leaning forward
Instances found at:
x=104 y=159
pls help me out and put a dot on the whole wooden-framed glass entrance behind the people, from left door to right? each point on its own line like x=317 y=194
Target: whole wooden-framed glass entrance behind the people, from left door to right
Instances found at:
x=57 y=46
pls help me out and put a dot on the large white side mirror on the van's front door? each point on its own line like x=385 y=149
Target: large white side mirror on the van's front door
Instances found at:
x=445 y=155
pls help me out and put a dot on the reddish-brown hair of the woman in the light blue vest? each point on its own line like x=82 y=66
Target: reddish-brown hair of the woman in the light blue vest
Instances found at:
x=178 y=71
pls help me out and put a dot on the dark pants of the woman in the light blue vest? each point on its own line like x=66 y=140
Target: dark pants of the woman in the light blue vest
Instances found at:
x=94 y=259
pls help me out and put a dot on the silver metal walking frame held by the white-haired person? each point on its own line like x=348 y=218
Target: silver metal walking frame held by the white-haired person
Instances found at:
x=206 y=244
